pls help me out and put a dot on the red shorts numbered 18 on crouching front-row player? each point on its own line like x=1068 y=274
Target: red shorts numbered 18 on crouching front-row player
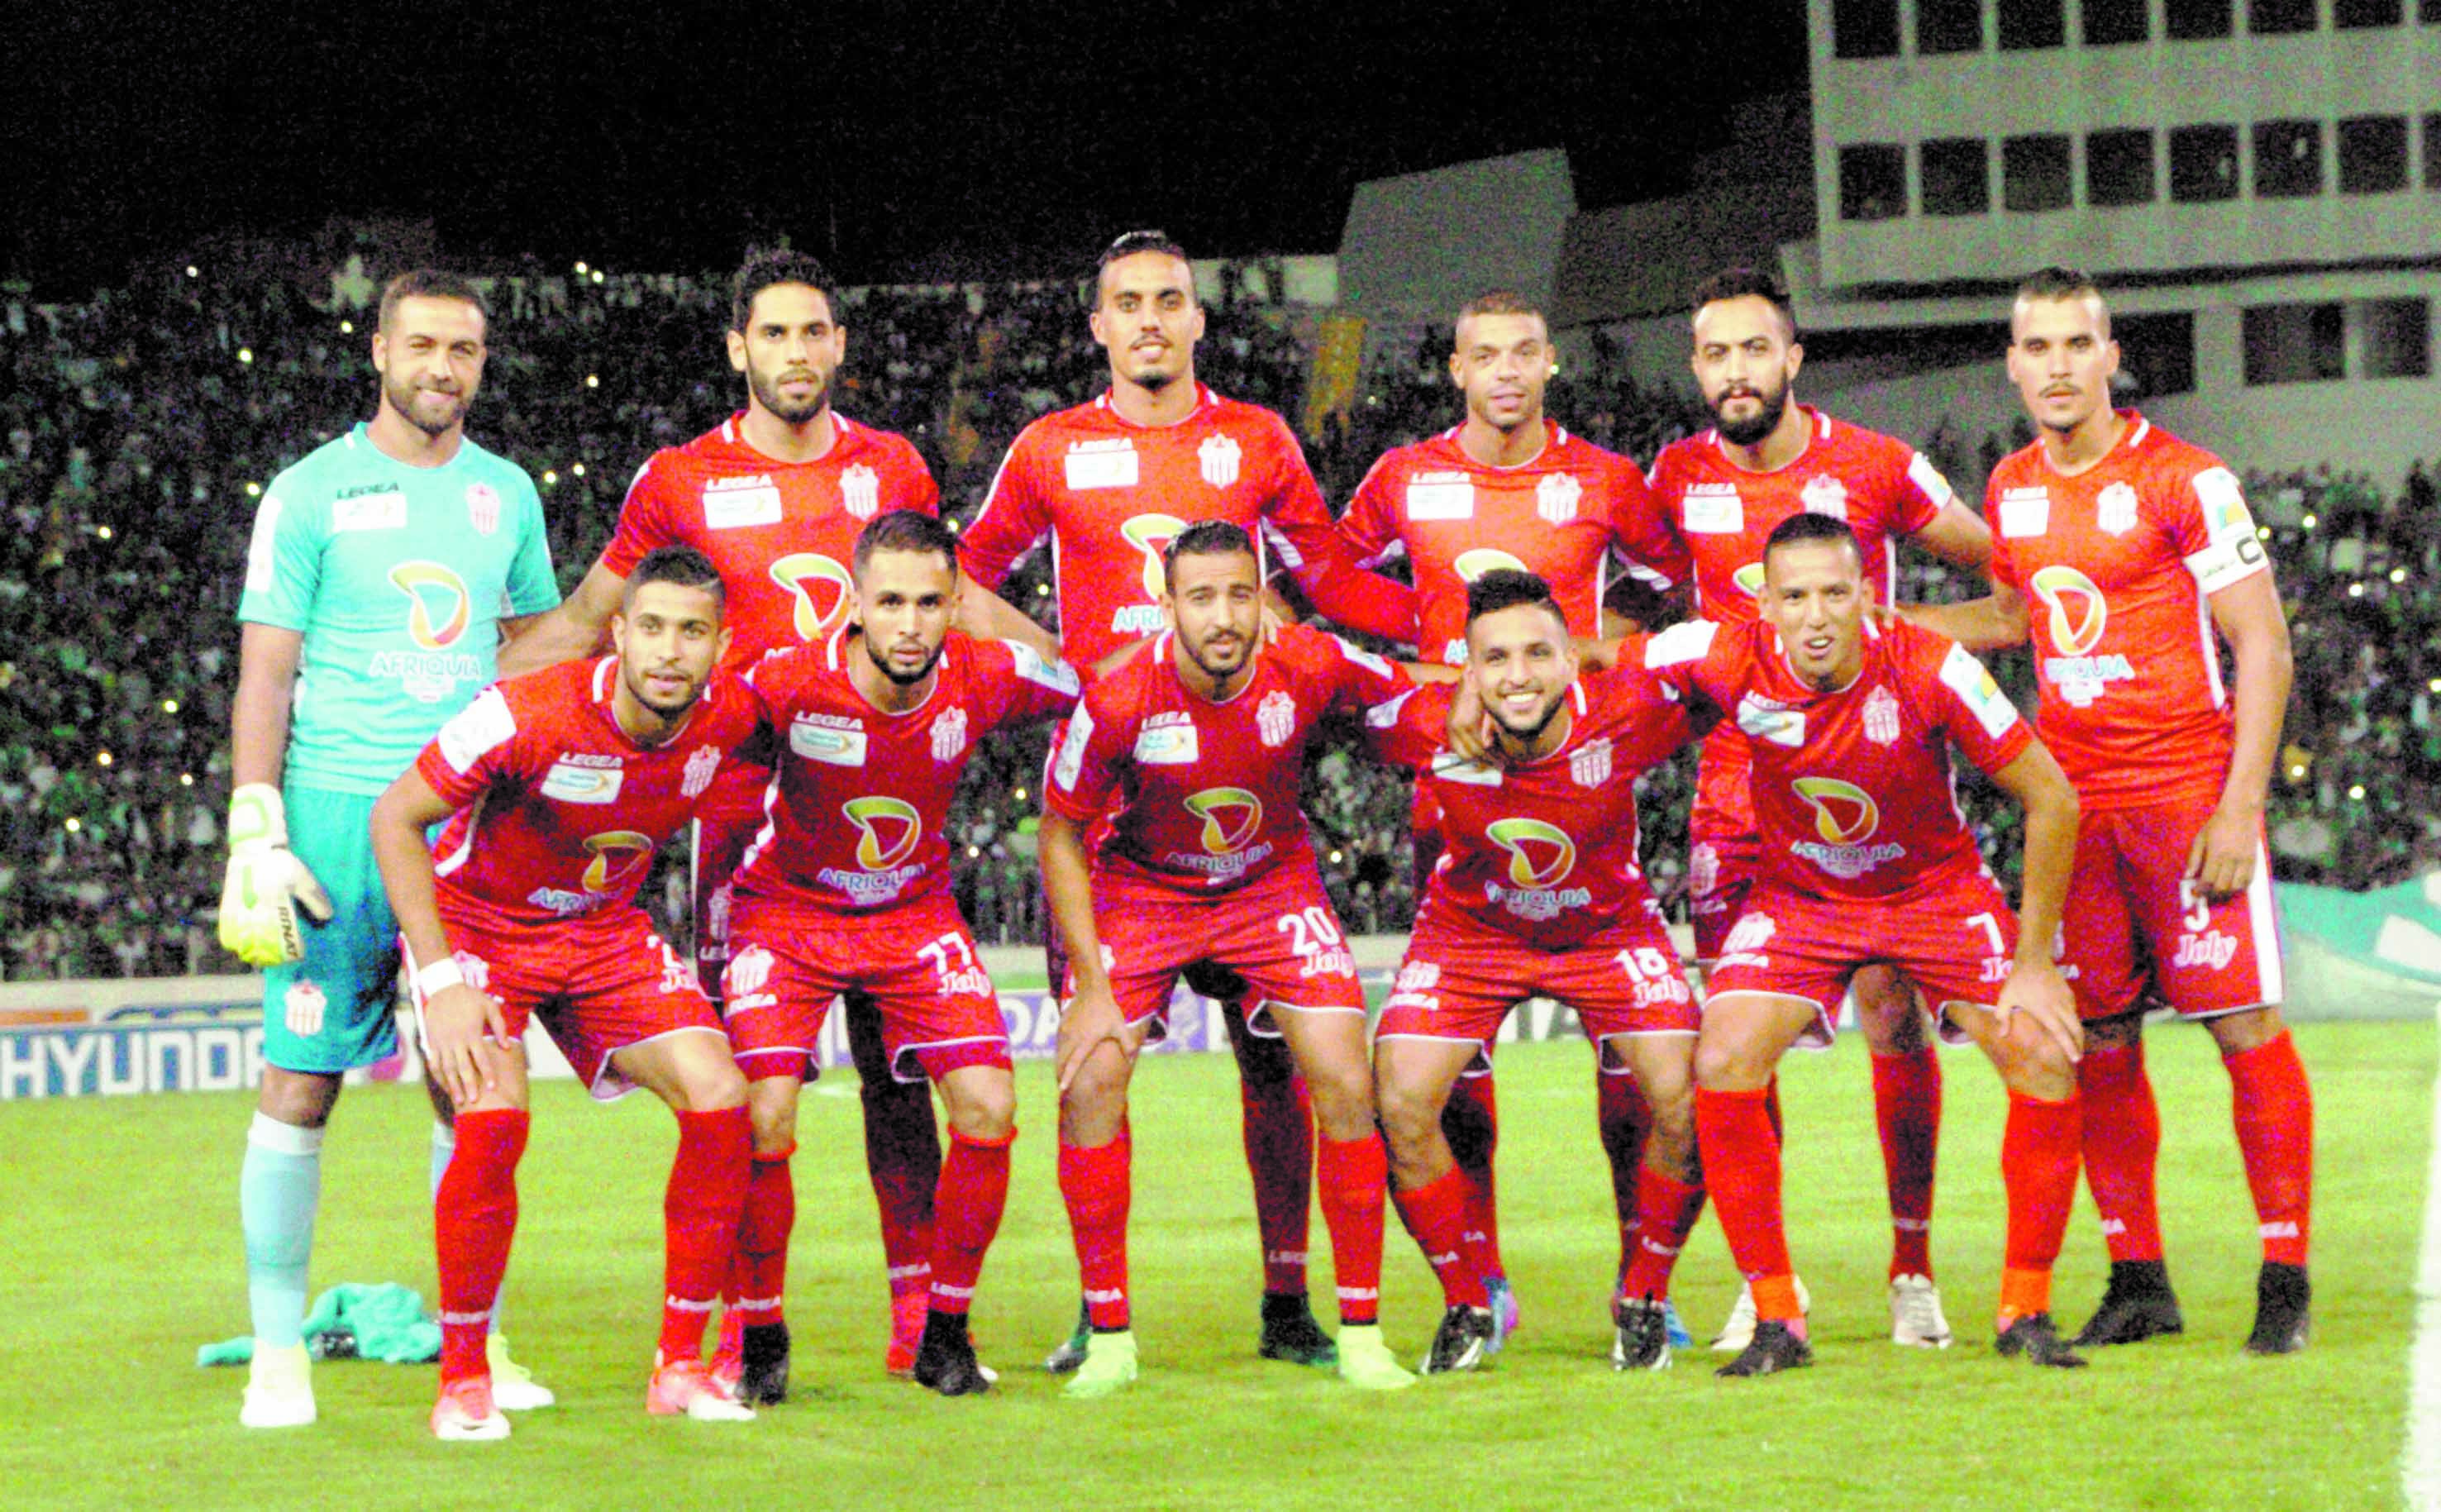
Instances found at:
x=1461 y=983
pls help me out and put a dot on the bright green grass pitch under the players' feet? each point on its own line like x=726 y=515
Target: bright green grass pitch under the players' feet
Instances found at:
x=123 y=1257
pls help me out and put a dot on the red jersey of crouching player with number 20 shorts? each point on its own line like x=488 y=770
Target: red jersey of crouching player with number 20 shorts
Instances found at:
x=1205 y=795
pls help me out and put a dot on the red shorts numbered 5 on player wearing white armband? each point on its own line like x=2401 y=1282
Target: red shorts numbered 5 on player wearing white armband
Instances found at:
x=2135 y=922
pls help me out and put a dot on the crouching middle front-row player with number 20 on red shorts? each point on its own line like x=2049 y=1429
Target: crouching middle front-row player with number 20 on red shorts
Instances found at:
x=1188 y=768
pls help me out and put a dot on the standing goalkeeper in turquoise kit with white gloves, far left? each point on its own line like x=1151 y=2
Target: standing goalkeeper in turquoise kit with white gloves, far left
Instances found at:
x=380 y=578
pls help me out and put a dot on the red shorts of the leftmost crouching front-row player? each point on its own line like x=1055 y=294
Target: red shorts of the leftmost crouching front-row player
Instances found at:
x=597 y=986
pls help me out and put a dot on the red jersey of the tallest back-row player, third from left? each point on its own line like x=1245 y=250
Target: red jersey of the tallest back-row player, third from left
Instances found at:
x=1112 y=495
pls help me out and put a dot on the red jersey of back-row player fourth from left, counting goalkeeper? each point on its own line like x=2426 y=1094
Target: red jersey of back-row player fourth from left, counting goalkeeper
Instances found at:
x=1571 y=517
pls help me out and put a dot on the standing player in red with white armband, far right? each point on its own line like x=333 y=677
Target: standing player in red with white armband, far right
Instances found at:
x=2135 y=543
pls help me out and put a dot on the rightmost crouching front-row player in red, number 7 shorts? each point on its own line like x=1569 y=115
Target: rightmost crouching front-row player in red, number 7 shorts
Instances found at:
x=1866 y=861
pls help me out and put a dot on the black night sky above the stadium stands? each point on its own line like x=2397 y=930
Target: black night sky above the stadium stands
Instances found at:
x=900 y=140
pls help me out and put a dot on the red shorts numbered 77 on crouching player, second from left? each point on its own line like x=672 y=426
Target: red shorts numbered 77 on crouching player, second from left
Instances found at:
x=919 y=966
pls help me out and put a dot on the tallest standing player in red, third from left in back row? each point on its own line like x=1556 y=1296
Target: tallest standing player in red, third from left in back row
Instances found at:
x=1109 y=485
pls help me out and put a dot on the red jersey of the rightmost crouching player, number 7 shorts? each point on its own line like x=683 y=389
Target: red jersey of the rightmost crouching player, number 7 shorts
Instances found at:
x=1854 y=790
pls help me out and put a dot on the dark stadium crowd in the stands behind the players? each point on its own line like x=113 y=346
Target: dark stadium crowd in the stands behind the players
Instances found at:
x=143 y=426
